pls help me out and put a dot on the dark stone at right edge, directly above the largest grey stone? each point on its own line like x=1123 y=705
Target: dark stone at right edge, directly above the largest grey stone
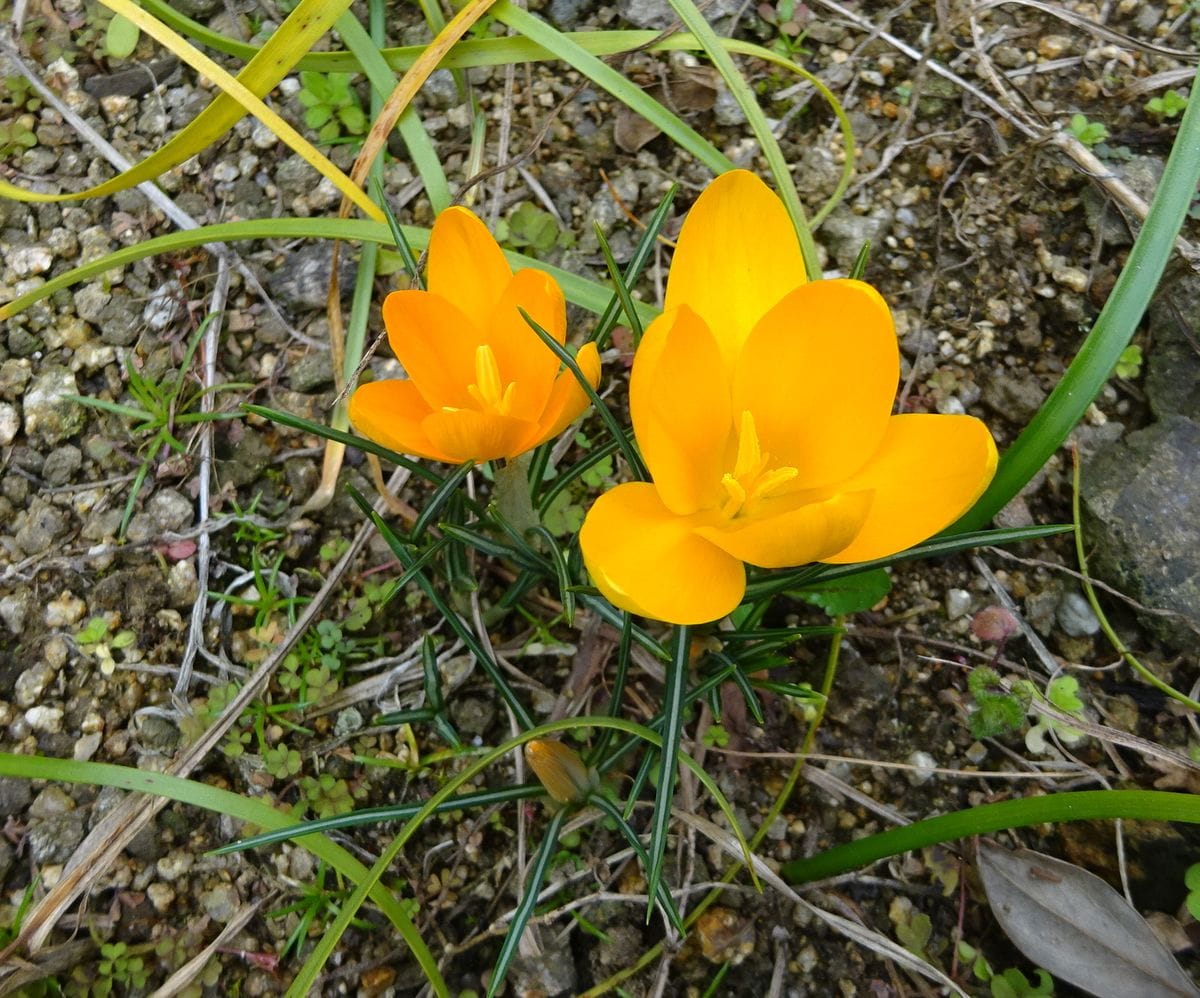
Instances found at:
x=1173 y=368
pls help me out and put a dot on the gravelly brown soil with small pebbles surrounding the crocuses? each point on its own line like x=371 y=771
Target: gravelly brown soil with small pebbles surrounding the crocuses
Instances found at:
x=995 y=241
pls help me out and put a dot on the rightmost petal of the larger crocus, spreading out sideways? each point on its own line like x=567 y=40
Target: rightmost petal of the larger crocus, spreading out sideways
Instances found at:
x=926 y=474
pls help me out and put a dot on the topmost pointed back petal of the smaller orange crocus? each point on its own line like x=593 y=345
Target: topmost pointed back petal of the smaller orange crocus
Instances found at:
x=466 y=264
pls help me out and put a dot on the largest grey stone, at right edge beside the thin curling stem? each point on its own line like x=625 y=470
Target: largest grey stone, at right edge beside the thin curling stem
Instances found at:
x=1142 y=513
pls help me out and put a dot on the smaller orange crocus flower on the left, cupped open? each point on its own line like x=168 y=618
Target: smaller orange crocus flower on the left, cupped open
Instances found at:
x=481 y=384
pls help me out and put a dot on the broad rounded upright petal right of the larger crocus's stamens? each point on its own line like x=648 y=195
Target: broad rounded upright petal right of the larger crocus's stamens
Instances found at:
x=819 y=374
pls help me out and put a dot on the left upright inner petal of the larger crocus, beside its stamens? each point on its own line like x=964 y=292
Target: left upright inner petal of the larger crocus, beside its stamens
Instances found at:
x=680 y=402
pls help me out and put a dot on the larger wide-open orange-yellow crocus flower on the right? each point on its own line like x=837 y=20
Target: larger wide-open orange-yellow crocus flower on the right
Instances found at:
x=763 y=406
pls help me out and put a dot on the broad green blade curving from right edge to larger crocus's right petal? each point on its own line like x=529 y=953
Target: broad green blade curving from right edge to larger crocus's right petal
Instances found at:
x=1112 y=333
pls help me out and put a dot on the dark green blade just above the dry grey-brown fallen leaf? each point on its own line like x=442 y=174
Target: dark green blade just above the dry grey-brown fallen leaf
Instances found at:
x=988 y=819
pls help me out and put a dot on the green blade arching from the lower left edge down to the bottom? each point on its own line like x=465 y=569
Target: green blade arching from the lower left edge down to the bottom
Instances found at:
x=219 y=802
